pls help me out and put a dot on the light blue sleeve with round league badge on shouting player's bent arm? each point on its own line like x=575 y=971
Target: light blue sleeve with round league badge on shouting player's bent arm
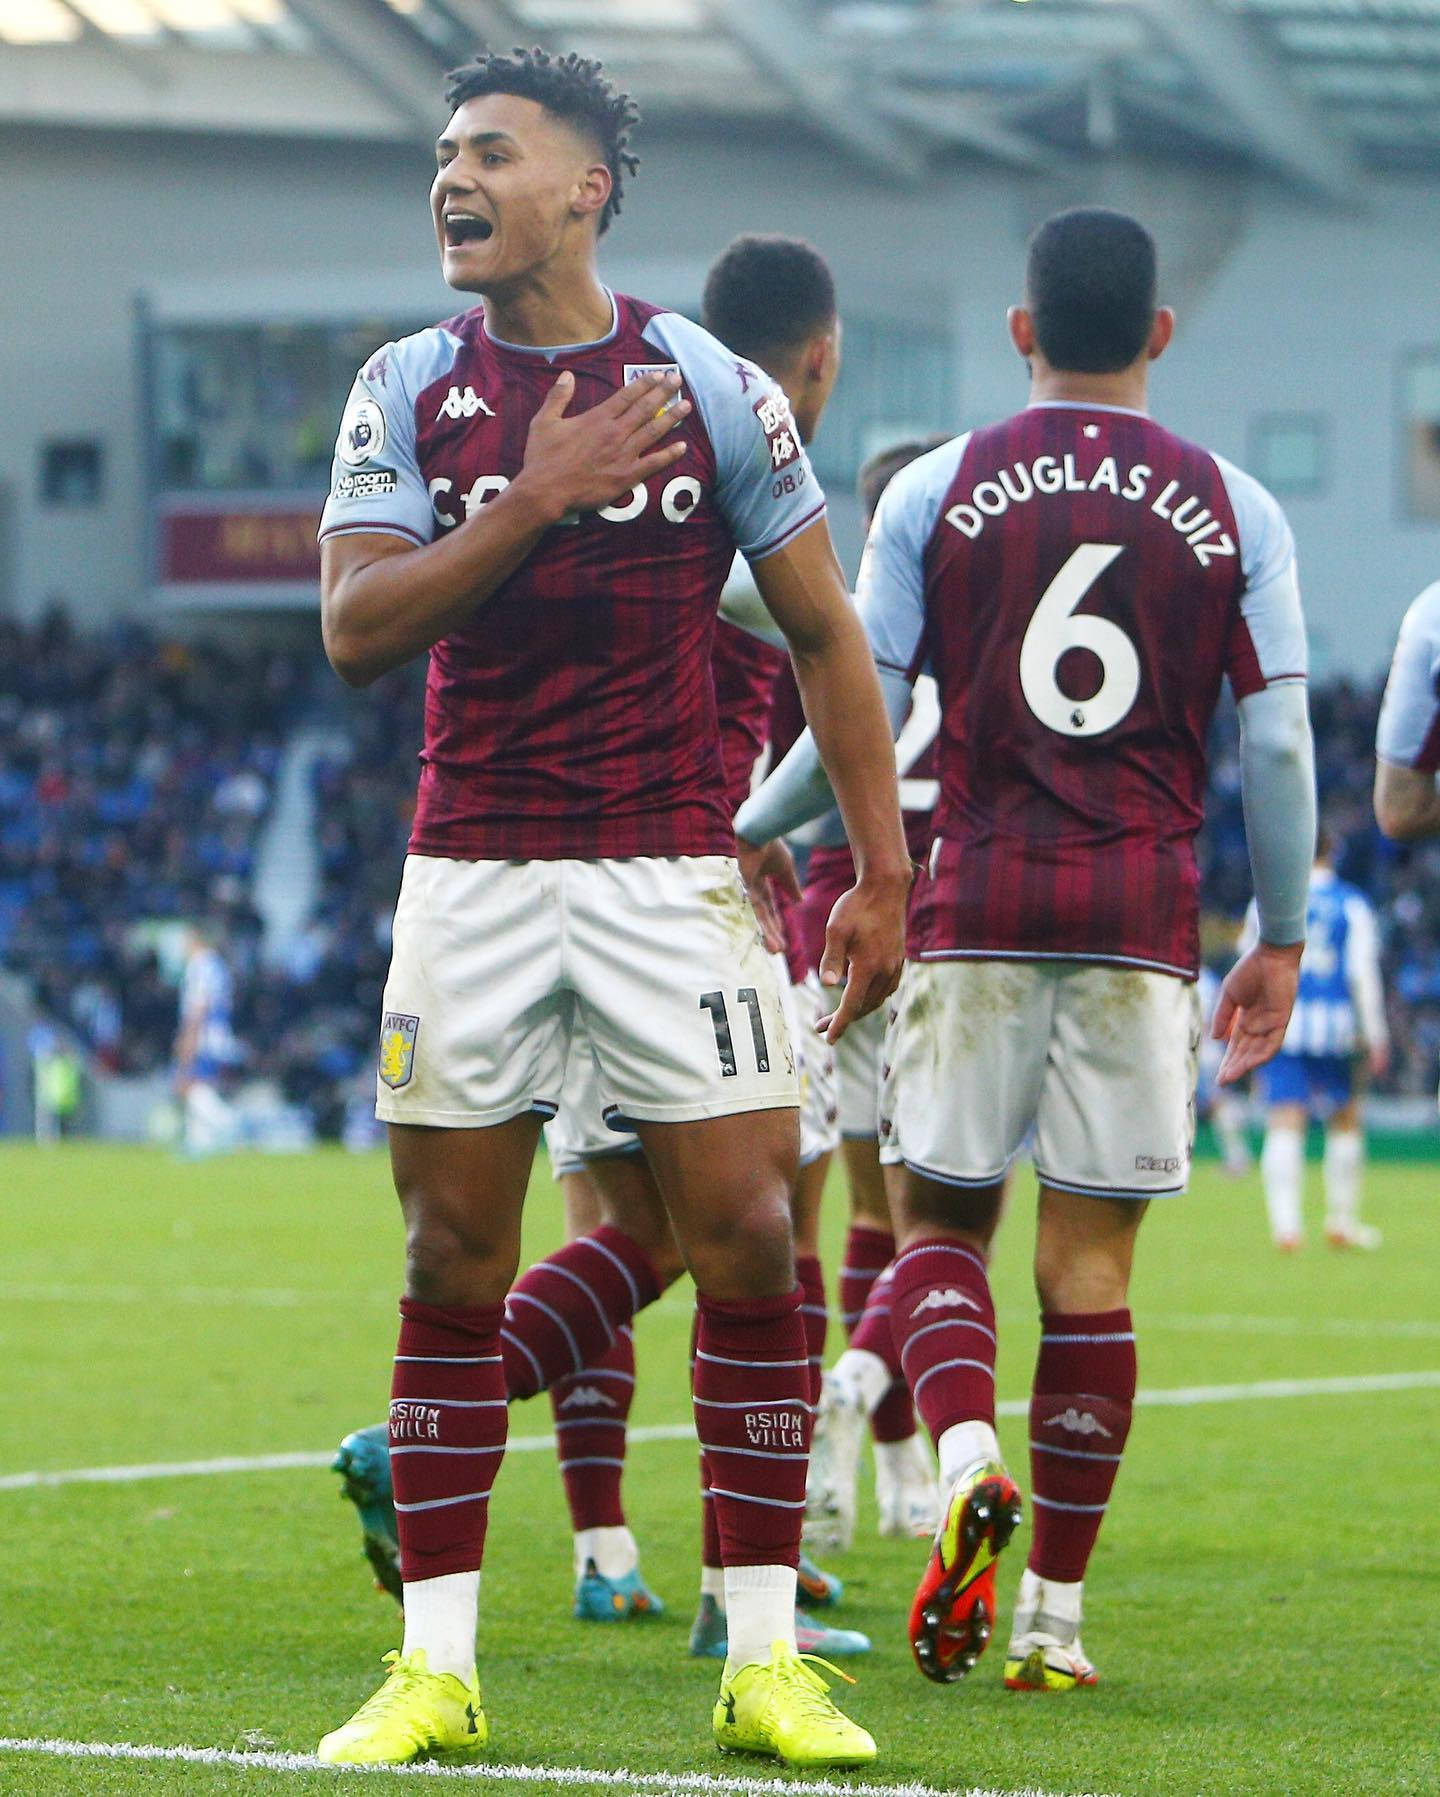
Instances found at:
x=377 y=482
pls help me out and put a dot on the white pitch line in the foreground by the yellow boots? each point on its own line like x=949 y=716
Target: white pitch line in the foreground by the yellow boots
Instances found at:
x=689 y=1784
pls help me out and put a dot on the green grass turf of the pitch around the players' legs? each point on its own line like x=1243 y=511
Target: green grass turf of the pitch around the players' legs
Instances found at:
x=1263 y=1602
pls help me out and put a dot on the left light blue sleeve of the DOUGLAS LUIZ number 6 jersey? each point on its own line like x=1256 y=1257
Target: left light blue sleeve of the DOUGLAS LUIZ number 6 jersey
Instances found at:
x=893 y=576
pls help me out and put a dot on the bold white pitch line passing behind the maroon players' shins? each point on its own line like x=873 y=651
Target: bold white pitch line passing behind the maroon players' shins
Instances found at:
x=1164 y=1399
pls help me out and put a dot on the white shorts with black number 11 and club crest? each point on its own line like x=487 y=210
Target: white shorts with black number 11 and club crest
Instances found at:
x=659 y=959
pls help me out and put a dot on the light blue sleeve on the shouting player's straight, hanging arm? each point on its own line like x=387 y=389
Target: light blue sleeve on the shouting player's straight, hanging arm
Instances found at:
x=765 y=484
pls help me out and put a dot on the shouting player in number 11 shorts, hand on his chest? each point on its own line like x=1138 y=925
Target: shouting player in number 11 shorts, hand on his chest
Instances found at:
x=547 y=497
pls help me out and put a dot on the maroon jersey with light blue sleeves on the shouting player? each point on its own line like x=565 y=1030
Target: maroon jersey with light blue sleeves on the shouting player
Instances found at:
x=574 y=713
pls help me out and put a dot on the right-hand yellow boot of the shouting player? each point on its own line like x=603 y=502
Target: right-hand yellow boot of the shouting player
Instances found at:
x=781 y=1708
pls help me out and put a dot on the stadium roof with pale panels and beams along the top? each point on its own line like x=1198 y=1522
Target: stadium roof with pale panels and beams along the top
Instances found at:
x=1311 y=91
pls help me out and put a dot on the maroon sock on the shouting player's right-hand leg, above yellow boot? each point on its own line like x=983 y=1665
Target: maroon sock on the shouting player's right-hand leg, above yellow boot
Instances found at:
x=754 y=1422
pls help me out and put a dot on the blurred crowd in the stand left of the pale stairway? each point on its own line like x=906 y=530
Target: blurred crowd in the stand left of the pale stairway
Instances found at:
x=136 y=777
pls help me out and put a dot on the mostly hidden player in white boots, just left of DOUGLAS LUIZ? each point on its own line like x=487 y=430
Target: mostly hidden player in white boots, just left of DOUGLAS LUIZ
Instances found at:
x=867 y=1381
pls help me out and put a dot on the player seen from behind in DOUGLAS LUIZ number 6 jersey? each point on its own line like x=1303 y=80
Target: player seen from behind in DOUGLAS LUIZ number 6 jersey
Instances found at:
x=1080 y=581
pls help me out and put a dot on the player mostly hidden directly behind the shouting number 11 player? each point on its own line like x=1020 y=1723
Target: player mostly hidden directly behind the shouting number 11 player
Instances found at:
x=774 y=303
